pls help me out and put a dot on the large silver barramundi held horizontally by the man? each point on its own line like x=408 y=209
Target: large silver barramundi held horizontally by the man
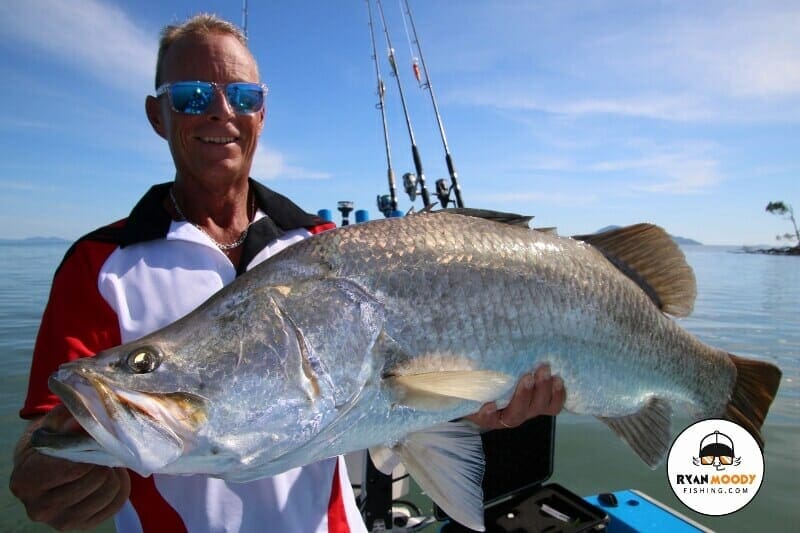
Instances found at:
x=376 y=335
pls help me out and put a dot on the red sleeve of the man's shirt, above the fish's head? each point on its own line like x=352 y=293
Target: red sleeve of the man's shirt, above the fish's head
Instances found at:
x=77 y=322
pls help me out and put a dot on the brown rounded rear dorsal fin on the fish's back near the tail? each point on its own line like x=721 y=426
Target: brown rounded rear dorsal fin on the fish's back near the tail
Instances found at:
x=648 y=255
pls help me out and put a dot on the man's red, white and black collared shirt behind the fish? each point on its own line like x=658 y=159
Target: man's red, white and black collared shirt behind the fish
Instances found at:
x=138 y=275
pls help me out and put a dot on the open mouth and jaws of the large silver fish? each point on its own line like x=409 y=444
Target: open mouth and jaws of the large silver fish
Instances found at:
x=144 y=431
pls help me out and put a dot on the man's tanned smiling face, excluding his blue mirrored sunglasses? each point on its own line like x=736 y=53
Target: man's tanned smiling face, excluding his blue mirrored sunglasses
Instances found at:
x=215 y=148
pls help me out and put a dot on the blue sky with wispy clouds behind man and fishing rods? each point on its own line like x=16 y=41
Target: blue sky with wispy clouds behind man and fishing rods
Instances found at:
x=584 y=114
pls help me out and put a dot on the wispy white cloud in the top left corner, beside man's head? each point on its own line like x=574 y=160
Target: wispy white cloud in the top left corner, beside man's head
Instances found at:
x=97 y=38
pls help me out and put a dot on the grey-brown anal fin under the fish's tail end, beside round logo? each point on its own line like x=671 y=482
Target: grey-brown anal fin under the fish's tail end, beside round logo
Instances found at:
x=647 y=432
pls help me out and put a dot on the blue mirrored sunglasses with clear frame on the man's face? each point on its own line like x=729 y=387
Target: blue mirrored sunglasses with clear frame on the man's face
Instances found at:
x=194 y=97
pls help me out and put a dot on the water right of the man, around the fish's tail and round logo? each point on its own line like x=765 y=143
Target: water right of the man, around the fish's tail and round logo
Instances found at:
x=749 y=305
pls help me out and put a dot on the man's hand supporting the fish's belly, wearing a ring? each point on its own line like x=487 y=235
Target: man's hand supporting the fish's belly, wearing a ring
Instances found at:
x=536 y=394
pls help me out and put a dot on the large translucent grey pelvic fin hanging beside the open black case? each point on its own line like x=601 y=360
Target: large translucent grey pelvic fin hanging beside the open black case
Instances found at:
x=447 y=462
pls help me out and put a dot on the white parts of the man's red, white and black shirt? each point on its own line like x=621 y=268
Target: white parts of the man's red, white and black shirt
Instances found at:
x=180 y=277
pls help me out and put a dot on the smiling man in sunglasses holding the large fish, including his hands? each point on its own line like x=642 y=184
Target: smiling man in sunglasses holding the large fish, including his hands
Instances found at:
x=182 y=242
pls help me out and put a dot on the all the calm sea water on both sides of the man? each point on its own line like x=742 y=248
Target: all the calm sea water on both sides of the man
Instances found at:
x=747 y=304
